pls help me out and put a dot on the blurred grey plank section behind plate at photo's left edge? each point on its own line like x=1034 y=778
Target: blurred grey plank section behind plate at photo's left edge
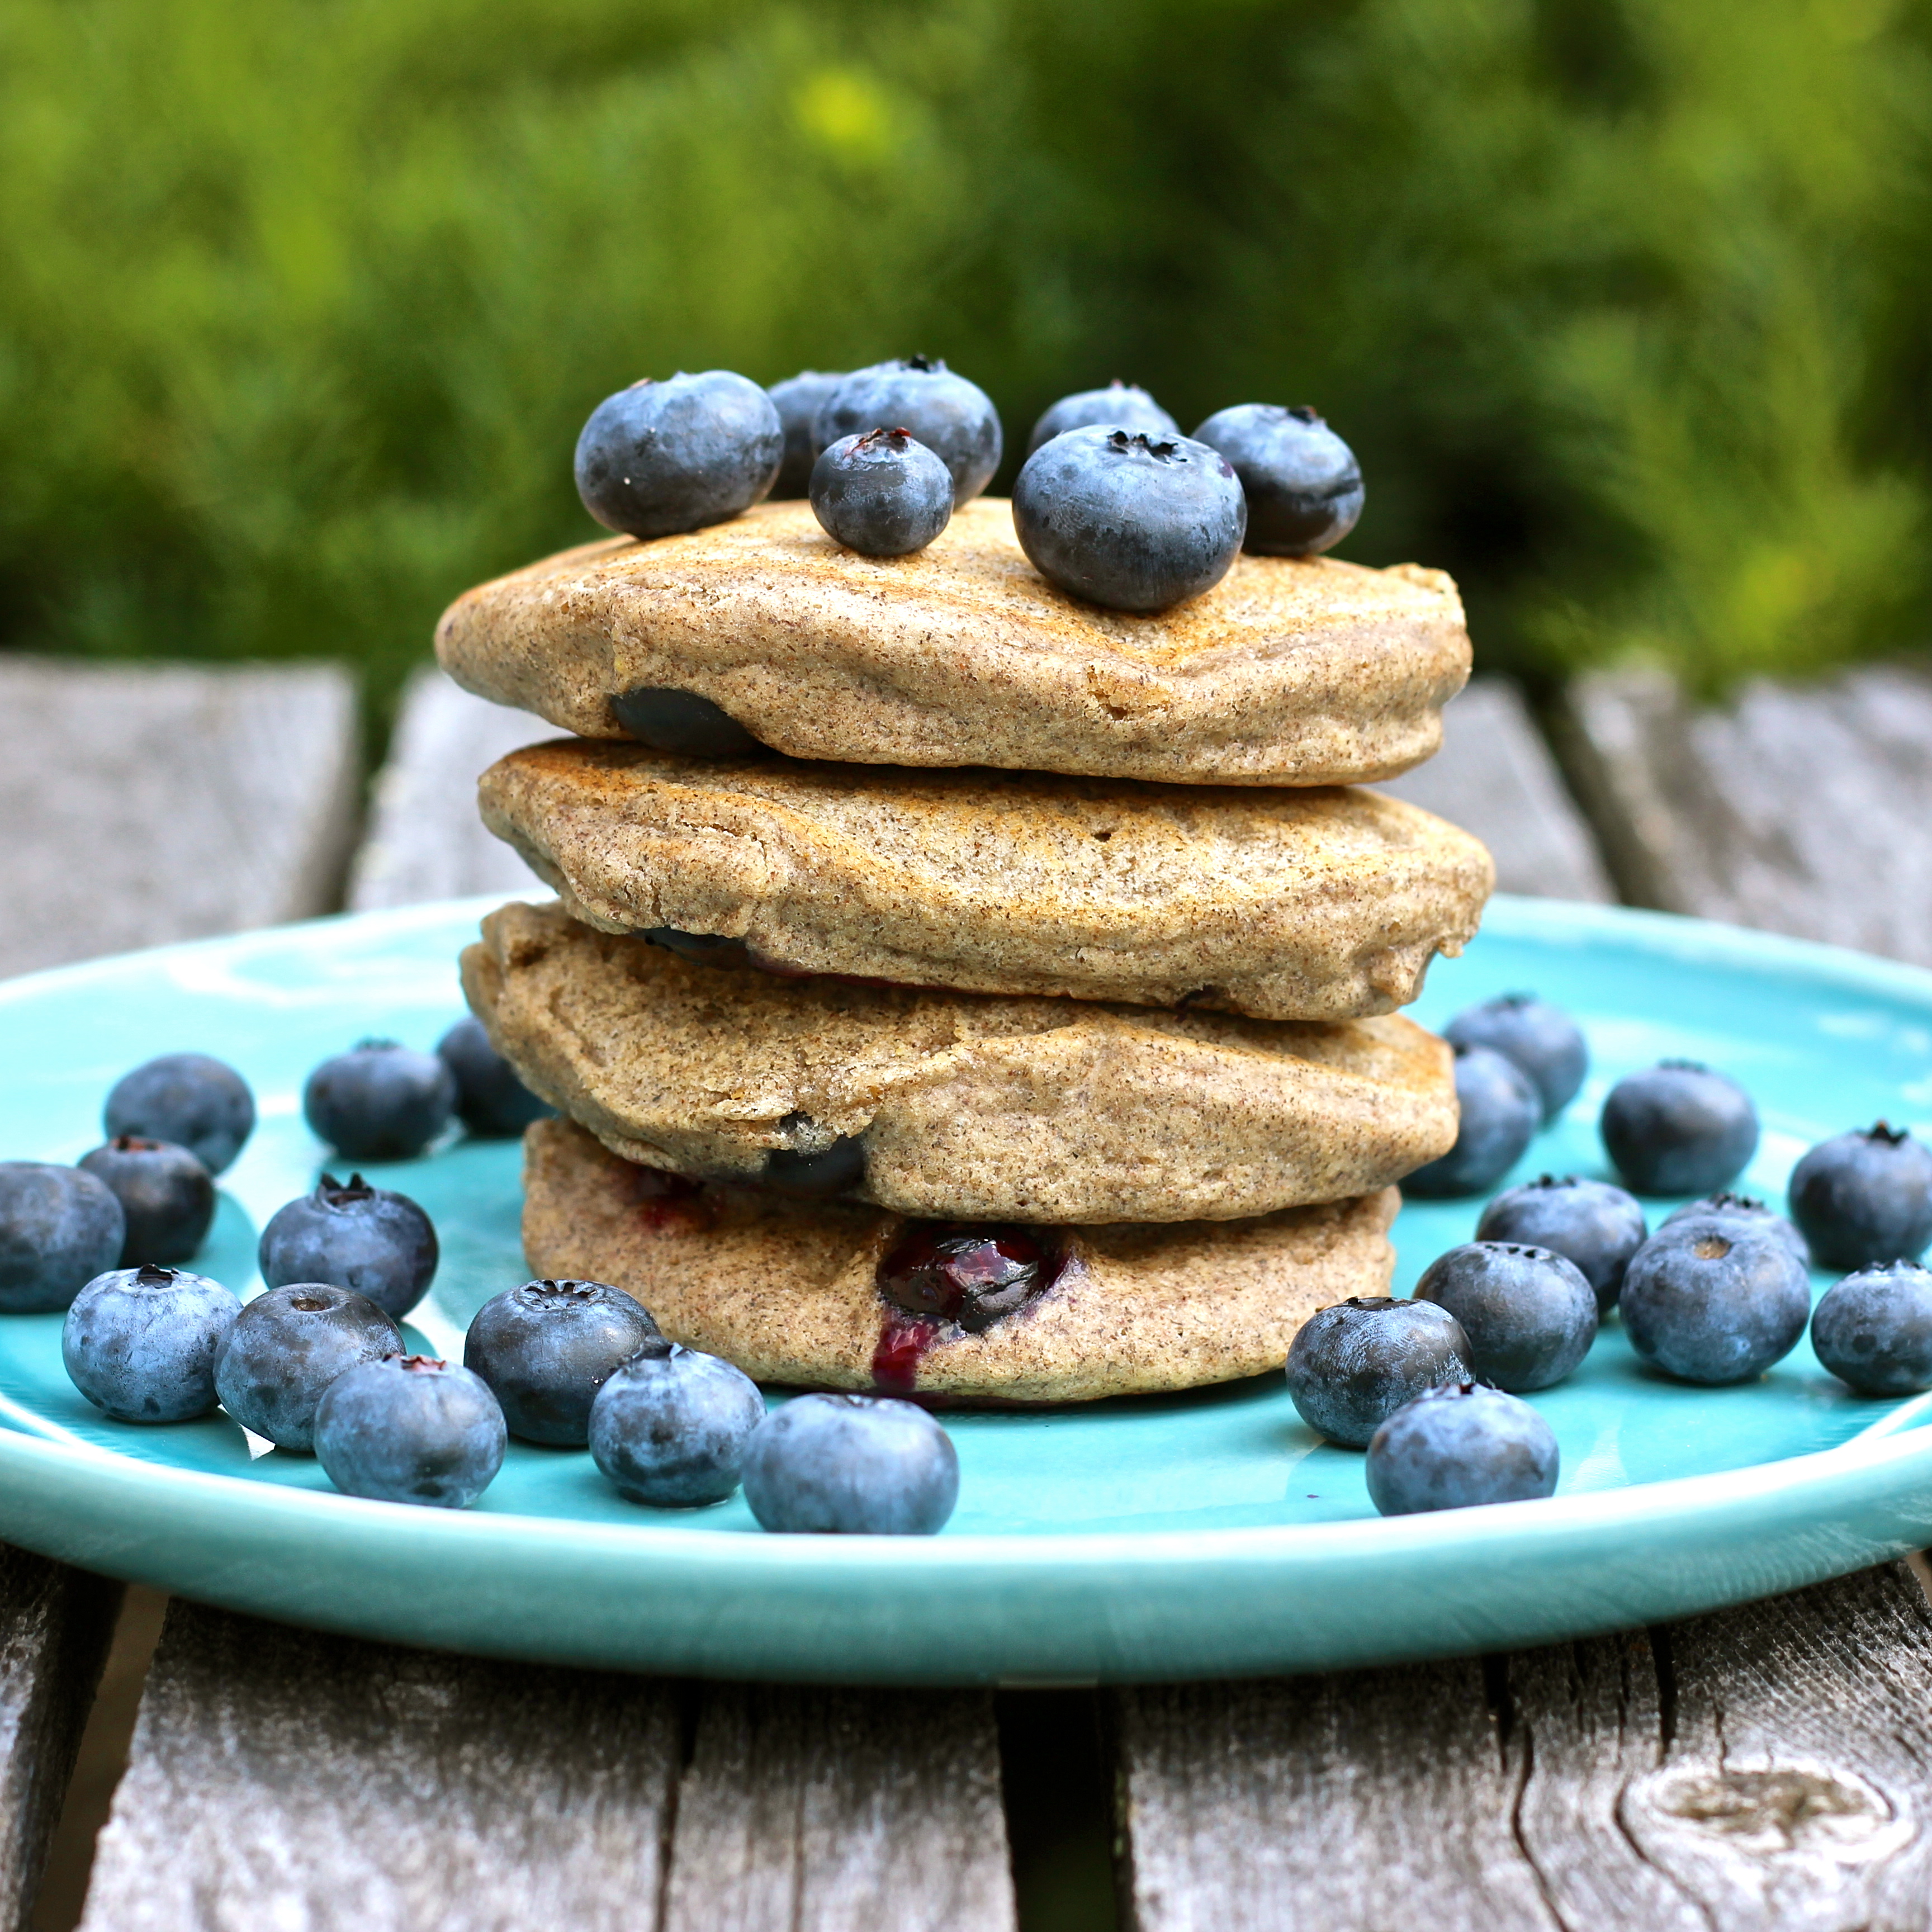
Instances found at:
x=169 y=803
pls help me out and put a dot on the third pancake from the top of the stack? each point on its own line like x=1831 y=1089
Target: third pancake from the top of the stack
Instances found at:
x=953 y=1104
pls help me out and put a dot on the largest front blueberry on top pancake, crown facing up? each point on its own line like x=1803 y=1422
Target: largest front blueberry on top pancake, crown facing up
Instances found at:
x=1127 y=521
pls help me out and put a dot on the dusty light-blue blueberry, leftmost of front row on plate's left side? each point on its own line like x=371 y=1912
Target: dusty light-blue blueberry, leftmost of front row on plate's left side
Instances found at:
x=140 y=1344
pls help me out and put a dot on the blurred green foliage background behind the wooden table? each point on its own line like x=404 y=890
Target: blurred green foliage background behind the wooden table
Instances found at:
x=1622 y=302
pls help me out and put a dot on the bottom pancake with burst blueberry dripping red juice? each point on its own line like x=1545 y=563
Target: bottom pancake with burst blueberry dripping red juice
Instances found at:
x=793 y=1293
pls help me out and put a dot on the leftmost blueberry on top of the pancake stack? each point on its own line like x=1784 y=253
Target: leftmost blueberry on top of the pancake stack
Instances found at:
x=679 y=455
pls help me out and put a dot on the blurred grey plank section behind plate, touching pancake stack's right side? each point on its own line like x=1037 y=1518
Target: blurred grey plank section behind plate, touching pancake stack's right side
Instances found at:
x=1496 y=778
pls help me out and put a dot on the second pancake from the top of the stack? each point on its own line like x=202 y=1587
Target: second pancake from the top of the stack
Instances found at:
x=1286 y=905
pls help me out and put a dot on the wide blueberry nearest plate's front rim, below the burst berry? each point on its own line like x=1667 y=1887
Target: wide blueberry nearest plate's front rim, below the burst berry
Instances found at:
x=861 y=1465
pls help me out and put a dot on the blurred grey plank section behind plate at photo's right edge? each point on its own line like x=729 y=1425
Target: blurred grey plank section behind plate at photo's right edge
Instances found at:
x=1796 y=809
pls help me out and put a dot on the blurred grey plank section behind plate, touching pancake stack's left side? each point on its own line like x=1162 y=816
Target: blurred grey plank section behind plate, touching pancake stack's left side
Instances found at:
x=426 y=839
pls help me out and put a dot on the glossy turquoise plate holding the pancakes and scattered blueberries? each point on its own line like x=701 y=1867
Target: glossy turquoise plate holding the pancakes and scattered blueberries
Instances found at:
x=1166 y=1537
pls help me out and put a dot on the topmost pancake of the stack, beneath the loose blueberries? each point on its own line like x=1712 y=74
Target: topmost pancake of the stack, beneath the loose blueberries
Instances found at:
x=1288 y=673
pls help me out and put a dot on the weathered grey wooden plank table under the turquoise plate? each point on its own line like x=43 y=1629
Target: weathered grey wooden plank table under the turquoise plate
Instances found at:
x=1765 y=1767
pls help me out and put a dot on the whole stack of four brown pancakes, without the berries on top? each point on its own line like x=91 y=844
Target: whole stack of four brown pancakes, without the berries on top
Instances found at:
x=942 y=915
